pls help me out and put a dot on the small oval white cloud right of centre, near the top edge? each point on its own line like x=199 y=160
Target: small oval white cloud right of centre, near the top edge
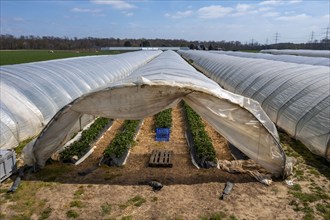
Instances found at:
x=214 y=11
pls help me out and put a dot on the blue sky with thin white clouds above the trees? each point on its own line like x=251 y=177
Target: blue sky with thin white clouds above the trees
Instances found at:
x=246 y=21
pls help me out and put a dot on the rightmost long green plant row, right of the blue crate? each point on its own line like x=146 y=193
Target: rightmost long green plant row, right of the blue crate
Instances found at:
x=202 y=144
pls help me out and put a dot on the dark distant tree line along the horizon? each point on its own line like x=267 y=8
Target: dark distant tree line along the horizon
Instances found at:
x=10 y=42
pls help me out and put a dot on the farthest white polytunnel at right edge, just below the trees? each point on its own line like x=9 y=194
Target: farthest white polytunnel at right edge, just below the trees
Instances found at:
x=307 y=53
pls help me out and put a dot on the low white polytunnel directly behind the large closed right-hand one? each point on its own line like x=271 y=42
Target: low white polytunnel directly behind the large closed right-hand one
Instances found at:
x=318 y=61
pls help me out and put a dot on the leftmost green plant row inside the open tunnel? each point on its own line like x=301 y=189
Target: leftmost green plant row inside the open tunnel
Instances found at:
x=80 y=147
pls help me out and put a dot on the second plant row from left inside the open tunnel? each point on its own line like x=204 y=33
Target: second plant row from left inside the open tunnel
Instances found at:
x=123 y=140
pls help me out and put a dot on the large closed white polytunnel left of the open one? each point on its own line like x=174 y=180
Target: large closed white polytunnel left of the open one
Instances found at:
x=31 y=94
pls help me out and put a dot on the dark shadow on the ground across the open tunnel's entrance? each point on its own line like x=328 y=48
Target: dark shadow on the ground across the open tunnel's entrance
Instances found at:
x=133 y=173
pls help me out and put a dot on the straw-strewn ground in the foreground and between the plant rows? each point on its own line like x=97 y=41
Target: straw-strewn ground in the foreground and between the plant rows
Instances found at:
x=59 y=192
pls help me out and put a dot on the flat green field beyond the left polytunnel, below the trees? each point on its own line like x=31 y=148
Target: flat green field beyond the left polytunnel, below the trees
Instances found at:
x=8 y=57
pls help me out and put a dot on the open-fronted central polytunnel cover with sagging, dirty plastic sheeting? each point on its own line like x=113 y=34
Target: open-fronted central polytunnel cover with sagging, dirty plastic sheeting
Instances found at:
x=161 y=84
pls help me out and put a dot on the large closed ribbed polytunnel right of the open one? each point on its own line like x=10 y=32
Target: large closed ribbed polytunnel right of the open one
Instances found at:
x=295 y=96
